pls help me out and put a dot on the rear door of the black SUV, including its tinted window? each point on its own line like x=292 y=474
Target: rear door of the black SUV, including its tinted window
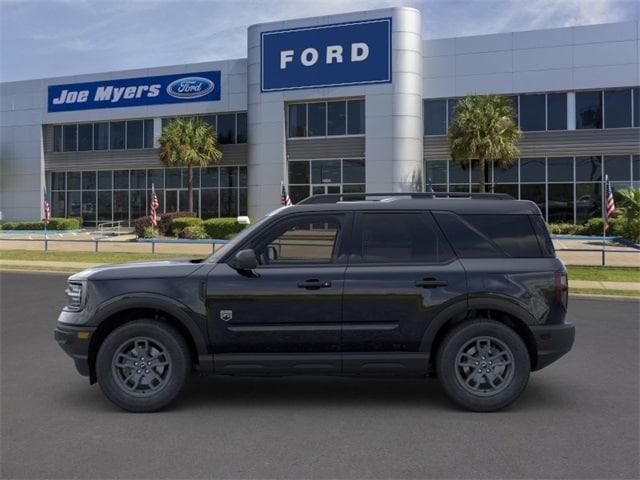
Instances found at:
x=401 y=275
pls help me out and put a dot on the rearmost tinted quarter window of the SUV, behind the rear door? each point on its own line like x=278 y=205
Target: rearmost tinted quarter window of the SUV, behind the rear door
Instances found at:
x=478 y=236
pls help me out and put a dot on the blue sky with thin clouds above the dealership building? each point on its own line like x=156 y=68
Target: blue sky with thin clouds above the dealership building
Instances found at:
x=49 y=38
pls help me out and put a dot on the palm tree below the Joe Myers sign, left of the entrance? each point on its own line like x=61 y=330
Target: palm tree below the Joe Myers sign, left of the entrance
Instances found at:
x=189 y=143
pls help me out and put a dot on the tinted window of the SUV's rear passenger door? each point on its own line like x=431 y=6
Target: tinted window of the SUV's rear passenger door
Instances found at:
x=401 y=238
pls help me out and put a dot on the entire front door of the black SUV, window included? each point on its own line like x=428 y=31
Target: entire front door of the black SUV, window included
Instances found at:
x=292 y=302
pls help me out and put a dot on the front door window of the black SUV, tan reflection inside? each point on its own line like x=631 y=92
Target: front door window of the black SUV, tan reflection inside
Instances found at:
x=311 y=239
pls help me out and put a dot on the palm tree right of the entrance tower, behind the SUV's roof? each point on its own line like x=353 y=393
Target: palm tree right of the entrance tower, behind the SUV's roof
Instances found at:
x=484 y=129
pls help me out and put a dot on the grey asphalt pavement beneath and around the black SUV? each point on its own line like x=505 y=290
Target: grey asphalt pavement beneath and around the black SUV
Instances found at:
x=579 y=418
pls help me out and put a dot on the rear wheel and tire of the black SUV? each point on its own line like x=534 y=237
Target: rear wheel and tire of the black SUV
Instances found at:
x=469 y=348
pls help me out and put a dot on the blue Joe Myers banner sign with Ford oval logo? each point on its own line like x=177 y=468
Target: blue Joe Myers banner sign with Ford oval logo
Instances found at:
x=133 y=92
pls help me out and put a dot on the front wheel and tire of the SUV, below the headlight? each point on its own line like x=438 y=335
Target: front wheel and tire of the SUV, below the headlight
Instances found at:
x=121 y=365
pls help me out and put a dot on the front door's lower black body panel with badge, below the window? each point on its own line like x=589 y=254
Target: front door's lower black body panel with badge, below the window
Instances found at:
x=273 y=312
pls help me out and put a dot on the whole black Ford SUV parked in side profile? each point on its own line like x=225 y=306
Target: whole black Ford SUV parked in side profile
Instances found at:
x=463 y=287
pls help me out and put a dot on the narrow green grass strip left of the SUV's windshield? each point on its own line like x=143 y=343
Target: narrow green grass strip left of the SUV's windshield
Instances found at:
x=84 y=257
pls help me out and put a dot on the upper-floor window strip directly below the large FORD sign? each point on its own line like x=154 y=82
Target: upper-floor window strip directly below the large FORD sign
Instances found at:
x=322 y=119
